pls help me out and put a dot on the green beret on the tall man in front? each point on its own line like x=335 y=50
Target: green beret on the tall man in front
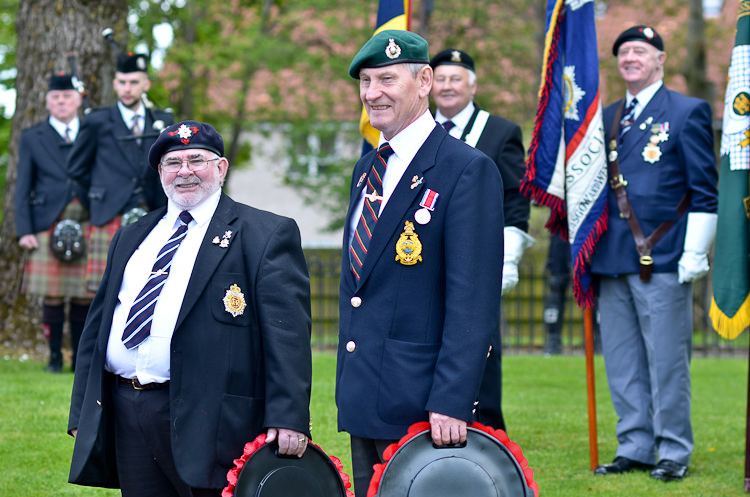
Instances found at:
x=392 y=46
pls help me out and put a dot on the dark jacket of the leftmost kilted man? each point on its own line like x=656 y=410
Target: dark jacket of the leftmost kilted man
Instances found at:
x=43 y=188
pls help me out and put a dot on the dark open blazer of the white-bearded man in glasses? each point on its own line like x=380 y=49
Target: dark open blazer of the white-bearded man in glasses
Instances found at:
x=231 y=377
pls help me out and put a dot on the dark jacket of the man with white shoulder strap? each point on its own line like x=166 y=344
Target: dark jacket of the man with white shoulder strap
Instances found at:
x=502 y=141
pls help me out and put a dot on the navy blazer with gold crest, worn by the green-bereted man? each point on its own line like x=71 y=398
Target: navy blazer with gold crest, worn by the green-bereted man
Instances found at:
x=418 y=340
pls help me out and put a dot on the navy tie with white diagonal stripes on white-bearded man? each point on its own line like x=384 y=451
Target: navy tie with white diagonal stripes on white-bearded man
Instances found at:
x=138 y=324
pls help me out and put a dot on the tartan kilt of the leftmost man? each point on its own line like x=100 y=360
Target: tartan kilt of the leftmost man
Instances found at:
x=47 y=276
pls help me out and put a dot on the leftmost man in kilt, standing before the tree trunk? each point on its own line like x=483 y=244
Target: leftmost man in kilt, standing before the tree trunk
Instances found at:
x=44 y=197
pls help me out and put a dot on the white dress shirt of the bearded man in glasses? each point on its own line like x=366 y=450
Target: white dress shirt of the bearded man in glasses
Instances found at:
x=149 y=361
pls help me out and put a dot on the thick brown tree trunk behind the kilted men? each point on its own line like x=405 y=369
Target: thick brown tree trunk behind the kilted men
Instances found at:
x=47 y=32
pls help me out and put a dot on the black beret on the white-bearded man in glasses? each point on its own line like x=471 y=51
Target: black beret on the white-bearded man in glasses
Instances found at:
x=185 y=135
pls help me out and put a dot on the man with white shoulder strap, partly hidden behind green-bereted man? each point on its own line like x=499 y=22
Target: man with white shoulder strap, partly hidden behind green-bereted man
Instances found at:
x=453 y=92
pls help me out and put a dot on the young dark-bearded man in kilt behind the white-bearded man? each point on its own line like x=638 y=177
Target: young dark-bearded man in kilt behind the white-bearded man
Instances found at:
x=109 y=160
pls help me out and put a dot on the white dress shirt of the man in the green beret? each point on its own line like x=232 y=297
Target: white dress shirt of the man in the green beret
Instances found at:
x=405 y=146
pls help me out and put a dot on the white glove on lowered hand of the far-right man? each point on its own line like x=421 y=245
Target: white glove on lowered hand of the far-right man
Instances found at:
x=699 y=236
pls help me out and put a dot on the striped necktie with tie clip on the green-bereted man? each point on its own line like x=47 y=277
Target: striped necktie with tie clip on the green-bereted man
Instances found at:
x=370 y=210
